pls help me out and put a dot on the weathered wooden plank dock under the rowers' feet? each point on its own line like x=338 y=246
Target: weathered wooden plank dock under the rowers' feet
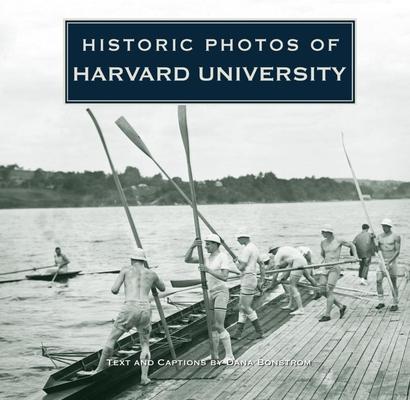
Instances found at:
x=365 y=355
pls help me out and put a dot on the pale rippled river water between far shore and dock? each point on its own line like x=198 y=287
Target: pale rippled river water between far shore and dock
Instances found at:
x=78 y=317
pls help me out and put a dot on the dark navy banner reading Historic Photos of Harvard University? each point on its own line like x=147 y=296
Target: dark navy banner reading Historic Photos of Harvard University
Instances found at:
x=210 y=61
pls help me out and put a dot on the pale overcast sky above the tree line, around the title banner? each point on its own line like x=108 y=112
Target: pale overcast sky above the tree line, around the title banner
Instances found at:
x=37 y=130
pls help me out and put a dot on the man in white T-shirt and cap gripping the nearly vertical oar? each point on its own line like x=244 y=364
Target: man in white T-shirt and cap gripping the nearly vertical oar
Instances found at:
x=217 y=269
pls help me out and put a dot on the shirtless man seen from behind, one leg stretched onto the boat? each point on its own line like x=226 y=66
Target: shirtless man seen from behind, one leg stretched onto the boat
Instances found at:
x=136 y=311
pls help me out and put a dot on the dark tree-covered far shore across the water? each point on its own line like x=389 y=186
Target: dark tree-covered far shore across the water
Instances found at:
x=96 y=188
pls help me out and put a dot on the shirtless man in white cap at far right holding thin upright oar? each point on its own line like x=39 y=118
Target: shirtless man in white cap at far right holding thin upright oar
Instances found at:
x=389 y=244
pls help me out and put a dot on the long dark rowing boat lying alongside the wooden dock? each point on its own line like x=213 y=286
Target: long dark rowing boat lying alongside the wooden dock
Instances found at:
x=188 y=327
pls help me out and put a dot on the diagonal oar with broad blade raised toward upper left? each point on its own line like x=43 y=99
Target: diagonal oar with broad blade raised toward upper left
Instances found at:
x=123 y=124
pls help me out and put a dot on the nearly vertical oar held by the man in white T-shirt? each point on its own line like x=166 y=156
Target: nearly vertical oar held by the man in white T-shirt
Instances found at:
x=183 y=127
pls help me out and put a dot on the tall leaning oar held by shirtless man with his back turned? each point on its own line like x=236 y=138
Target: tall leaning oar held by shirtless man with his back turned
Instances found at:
x=135 y=233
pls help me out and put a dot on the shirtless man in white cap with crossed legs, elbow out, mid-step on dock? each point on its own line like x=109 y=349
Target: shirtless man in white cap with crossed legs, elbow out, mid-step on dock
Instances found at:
x=331 y=248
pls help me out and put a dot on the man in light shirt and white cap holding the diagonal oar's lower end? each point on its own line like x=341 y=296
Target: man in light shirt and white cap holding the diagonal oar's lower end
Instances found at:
x=247 y=264
